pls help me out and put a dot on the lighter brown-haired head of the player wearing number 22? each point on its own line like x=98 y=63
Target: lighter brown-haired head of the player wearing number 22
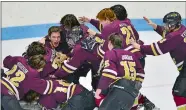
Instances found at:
x=37 y=61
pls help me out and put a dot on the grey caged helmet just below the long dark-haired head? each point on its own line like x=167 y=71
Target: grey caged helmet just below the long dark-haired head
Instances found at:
x=74 y=35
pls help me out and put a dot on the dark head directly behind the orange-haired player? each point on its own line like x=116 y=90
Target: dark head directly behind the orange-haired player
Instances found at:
x=120 y=11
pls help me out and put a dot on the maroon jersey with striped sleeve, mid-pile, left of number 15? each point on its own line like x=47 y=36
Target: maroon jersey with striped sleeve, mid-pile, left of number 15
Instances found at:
x=80 y=55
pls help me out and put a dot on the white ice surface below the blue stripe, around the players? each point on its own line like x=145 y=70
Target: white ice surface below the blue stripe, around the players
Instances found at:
x=160 y=70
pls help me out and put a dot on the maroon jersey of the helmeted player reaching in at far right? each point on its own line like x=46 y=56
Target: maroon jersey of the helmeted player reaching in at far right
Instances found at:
x=173 y=42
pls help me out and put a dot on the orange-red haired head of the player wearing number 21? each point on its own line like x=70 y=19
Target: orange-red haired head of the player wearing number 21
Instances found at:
x=106 y=15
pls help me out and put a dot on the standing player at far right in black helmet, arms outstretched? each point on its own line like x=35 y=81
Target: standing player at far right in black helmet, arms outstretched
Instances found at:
x=174 y=42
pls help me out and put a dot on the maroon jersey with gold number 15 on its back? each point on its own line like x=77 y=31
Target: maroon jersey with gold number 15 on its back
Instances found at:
x=120 y=63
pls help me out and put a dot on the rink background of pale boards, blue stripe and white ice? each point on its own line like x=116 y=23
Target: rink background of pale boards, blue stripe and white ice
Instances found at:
x=160 y=70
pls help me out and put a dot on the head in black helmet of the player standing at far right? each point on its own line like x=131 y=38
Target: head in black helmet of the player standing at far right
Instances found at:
x=172 y=21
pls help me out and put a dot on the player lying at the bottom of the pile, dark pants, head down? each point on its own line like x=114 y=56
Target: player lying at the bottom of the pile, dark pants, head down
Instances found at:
x=70 y=97
